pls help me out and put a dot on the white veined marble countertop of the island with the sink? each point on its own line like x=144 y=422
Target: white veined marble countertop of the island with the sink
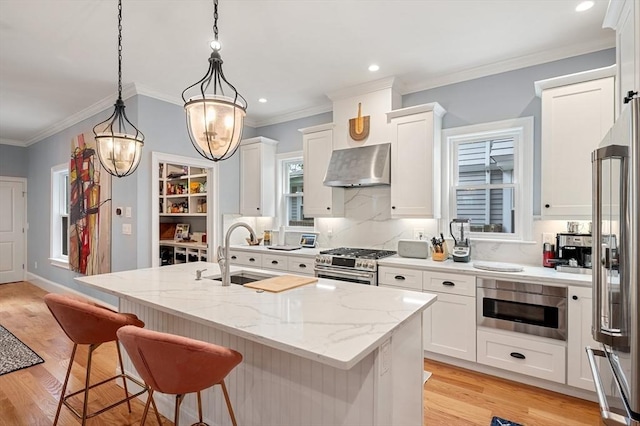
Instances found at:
x=332 y=322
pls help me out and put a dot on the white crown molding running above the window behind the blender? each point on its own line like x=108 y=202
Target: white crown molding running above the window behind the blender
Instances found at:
x=510 y=65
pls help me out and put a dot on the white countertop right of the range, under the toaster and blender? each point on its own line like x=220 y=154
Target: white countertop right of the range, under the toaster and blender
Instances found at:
x=529 y=273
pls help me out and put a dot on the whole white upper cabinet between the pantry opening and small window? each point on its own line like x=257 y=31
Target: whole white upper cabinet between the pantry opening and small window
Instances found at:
x=258 y=177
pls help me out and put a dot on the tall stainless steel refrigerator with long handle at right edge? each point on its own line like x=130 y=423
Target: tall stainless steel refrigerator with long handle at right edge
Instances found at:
x=615 y=278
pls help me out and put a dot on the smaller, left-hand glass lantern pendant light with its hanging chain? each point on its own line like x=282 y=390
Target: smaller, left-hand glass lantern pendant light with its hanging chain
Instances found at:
x=119 y=142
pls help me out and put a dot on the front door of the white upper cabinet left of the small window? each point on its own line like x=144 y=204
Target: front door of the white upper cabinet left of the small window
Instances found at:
x=250 y=180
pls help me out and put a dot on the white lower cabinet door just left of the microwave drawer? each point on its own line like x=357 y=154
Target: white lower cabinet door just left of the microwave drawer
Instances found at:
x=450 y=326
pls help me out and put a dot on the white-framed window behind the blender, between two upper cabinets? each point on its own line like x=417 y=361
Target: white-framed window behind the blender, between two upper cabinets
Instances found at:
x=490 y=178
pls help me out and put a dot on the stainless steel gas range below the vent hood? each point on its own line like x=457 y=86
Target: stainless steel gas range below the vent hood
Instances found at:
x=350 y=264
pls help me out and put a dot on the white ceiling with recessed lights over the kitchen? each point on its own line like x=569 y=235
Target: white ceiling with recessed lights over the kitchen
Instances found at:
x=58 y=58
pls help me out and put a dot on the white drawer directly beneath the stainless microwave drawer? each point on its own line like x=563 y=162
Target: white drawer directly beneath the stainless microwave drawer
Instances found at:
x=522 y=355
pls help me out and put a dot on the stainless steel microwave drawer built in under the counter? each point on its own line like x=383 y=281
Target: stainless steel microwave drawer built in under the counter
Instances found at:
x=535 y=309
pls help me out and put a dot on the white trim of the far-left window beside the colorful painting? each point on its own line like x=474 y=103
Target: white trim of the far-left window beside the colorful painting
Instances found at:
x=57 y=199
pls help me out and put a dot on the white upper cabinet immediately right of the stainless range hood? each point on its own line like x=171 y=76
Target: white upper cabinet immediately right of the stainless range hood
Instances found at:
x=415 y=161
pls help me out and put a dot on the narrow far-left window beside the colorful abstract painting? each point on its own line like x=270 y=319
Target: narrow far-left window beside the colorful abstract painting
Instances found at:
x=59 y=252
